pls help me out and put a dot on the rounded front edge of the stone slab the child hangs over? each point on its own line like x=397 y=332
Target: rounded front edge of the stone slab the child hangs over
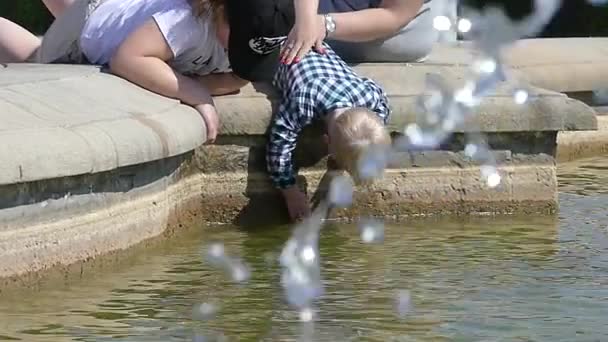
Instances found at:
x=545 y=112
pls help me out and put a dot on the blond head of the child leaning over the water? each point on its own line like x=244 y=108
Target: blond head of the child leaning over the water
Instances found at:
x=351 y=133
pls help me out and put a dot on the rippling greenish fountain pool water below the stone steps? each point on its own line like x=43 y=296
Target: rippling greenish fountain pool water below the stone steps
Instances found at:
x=483 y=279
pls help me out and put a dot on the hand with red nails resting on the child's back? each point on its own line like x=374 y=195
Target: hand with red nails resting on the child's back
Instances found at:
x=308 y=32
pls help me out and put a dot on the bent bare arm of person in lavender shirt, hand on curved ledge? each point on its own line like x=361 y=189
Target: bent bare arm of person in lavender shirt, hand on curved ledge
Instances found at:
x=142 y=59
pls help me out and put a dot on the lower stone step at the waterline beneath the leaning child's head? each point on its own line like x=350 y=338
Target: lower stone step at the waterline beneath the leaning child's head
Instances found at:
x=526 y=189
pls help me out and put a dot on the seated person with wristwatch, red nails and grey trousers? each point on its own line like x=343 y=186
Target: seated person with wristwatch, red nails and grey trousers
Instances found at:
x=364 y=30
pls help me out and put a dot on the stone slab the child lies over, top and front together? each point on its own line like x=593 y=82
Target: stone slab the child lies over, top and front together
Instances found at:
x=250 y=111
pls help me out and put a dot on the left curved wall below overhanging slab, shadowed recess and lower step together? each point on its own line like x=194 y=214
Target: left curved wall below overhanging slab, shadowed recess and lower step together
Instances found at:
x=64 y=225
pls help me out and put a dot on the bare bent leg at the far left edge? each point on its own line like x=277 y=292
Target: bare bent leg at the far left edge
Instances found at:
x=17 y=44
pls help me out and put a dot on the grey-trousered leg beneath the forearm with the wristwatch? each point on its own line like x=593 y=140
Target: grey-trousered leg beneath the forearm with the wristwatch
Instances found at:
x=412 y=44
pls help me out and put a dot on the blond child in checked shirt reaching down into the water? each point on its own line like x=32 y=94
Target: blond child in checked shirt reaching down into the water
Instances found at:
x=323 y=87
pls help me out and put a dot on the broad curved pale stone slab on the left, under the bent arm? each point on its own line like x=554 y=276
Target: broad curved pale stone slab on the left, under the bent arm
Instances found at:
x=58 y=121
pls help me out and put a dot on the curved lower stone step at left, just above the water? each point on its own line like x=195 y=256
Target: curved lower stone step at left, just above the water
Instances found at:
x=74 y=238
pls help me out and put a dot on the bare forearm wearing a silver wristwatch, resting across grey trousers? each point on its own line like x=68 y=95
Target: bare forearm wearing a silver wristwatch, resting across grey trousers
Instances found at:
x=375 y=23
